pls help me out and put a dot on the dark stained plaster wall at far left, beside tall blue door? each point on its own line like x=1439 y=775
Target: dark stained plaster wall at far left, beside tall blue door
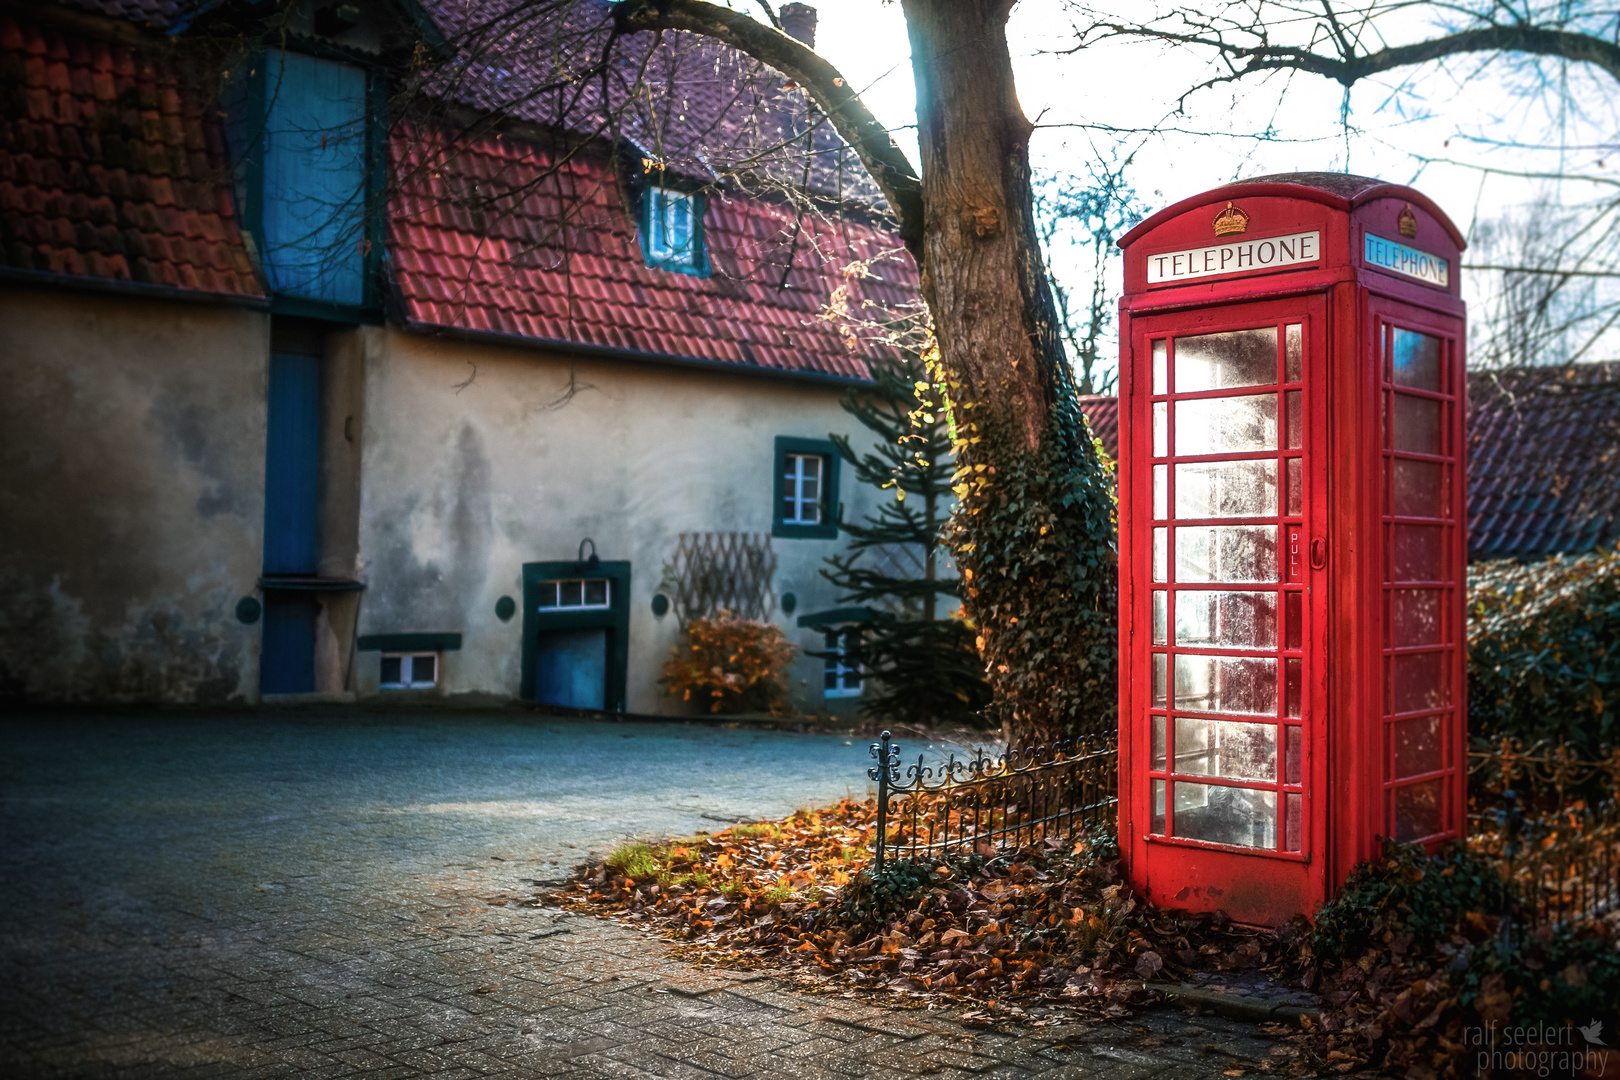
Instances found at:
x=132 y=449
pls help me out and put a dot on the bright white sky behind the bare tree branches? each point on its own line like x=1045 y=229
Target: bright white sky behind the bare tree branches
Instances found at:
x=1454 y=132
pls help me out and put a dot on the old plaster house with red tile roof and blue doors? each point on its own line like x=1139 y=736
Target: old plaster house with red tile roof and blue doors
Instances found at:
x=335 y=373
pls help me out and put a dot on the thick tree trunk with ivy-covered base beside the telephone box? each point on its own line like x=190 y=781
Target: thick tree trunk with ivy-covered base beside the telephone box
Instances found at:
x=1033 y=529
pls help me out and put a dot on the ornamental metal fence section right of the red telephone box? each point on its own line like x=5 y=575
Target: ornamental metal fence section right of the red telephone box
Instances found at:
x=1551 y=820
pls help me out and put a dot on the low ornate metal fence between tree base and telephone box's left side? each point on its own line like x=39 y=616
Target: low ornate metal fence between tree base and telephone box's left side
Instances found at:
x=1007 y=801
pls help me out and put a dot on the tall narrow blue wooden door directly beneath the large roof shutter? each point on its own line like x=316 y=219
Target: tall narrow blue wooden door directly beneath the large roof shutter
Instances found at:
x=292 y=466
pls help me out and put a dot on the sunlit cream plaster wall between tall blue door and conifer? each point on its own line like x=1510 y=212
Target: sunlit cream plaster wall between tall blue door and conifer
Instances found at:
x=479 y=459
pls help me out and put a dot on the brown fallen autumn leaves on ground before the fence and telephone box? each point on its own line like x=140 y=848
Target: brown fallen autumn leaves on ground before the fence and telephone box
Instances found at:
x=1036 y=937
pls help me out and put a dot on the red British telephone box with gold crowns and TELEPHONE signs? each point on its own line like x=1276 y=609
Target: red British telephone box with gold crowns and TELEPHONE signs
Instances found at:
x=1292 y=540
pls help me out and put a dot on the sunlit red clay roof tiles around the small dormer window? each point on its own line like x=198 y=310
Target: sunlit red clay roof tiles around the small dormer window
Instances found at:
x=615 y=299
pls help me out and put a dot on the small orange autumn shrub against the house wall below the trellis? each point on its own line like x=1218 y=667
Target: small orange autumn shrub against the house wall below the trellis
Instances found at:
x=731 y=665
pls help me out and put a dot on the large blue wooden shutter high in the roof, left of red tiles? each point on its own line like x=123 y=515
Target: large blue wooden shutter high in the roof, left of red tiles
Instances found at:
x=313 y=172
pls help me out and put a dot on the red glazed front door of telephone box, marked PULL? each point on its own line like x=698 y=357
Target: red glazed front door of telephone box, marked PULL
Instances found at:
x=1227 y=666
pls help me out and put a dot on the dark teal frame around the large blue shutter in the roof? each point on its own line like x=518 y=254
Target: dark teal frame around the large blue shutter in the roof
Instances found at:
x=254 y=172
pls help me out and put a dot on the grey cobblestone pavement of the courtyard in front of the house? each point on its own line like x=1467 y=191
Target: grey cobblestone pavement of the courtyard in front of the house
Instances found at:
x=343 y=896
